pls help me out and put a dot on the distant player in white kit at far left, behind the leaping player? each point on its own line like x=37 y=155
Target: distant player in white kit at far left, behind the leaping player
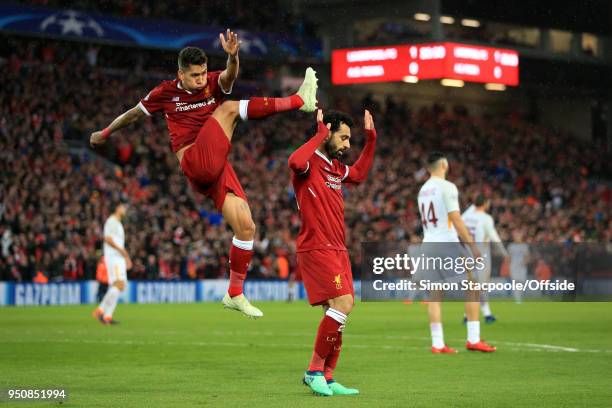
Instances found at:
x=117 y=263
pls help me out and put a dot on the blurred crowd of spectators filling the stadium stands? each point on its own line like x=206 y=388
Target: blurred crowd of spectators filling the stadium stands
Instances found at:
x=544 y=184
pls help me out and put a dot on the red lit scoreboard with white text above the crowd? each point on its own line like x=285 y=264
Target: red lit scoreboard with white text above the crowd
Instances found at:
x=425 y=61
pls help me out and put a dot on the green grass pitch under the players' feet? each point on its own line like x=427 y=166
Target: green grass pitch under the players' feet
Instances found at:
x=549 y=355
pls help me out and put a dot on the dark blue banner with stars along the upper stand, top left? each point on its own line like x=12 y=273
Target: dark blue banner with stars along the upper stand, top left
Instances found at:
x=71 y=24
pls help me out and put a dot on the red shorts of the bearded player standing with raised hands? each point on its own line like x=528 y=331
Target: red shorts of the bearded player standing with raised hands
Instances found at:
x=326 y=274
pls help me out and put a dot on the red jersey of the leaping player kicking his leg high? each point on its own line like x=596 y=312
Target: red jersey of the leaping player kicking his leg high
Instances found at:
x=185 y=111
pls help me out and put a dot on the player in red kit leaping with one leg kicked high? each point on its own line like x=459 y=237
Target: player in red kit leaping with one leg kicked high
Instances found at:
x=201 y=124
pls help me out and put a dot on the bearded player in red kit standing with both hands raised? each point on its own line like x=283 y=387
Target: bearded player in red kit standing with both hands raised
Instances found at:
x=322 y=257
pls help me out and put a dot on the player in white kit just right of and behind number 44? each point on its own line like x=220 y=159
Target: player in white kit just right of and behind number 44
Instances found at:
x=481 y=227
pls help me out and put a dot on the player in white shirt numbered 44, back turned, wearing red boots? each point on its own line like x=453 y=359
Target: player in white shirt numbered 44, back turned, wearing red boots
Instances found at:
x=438 y=203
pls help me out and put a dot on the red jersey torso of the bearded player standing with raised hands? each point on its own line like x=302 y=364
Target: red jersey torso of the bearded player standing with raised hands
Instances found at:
x=319 y=196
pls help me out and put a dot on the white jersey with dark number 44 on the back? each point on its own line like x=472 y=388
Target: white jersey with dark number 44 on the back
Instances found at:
x=438 y=198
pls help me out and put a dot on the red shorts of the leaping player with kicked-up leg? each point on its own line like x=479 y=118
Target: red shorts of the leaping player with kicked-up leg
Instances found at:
x=206 y=166
